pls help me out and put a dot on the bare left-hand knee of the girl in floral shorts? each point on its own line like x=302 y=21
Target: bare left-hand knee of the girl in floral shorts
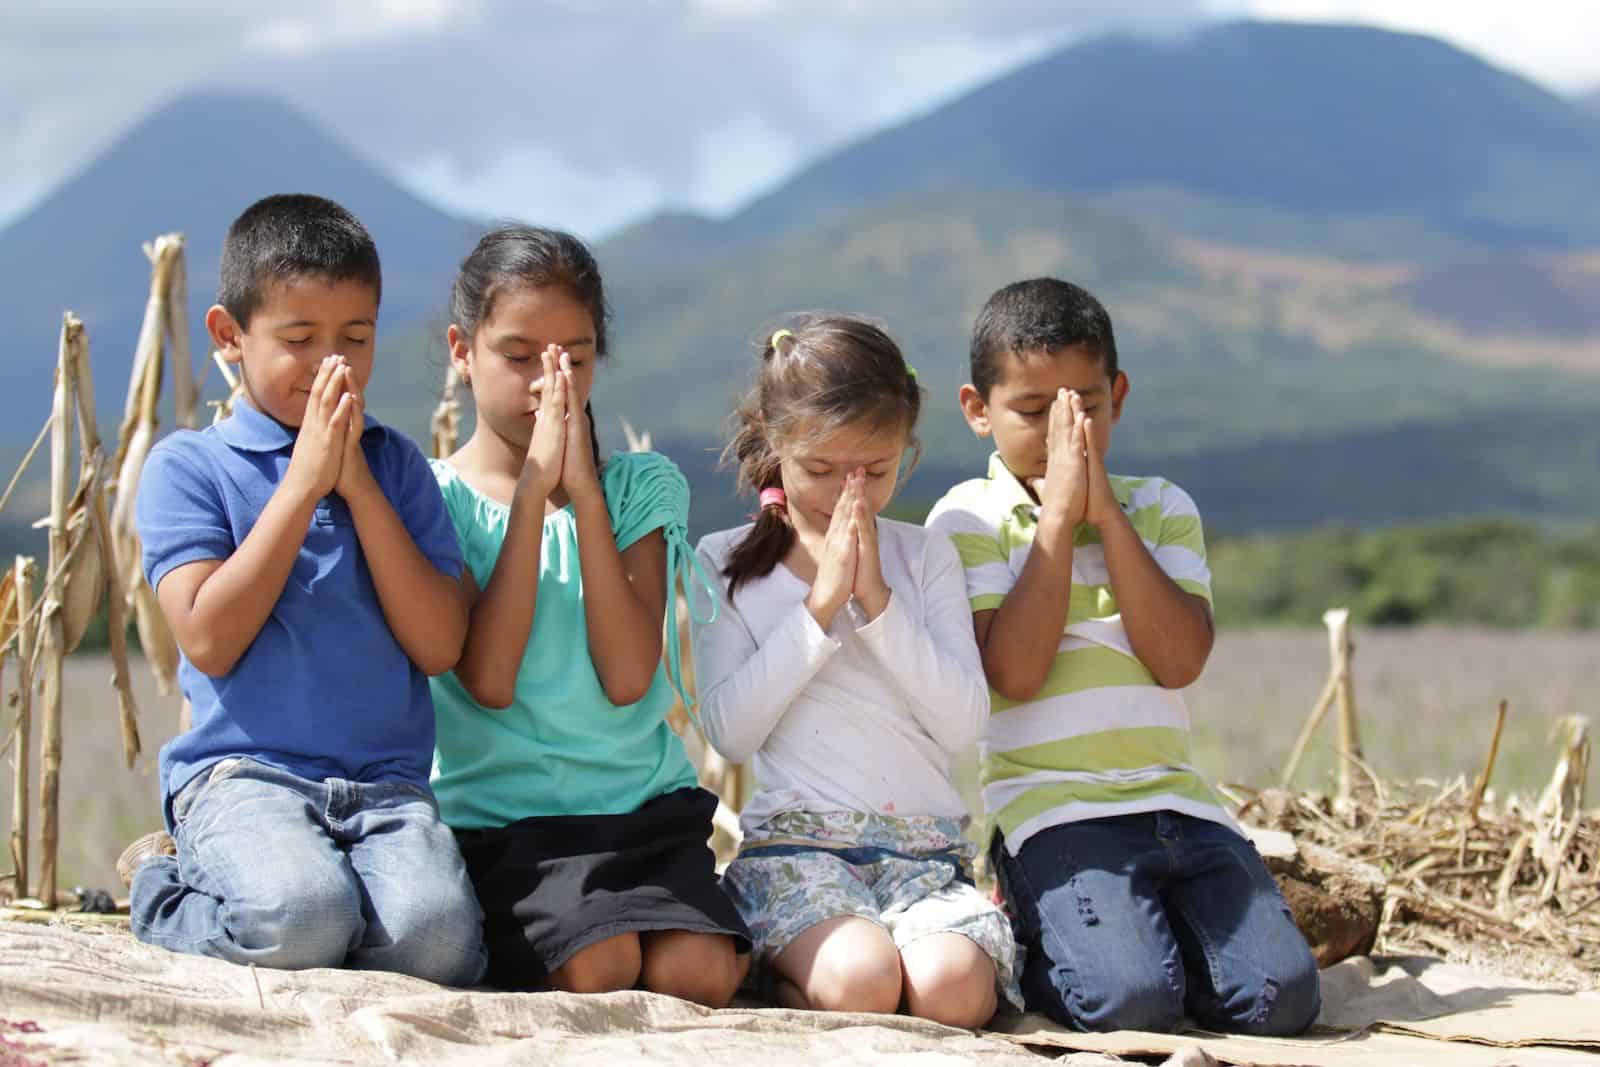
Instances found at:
x=846 y=965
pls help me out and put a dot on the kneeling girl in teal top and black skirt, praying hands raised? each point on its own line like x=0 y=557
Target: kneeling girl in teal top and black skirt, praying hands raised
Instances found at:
x=574 y=802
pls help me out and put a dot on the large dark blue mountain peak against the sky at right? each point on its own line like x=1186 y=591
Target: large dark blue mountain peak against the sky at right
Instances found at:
x=1316 y=119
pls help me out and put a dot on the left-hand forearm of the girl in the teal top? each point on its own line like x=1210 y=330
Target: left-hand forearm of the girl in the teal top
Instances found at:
x=502 y=618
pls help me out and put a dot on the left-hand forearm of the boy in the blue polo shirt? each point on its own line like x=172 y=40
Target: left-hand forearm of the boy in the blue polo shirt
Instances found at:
x=220 y=618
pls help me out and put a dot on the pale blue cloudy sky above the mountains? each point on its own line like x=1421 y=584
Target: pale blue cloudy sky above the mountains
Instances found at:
x=594 y=113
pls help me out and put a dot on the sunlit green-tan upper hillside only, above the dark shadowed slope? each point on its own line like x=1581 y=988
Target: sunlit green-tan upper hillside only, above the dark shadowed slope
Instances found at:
x=1230 y=345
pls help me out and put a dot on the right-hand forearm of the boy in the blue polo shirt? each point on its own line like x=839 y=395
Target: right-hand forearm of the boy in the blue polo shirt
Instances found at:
x=422 y=605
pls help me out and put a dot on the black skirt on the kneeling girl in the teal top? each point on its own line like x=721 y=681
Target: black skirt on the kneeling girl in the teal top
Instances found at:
x=554 y=885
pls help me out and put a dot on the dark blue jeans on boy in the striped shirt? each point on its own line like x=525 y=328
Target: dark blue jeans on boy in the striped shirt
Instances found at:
x=1129 y=922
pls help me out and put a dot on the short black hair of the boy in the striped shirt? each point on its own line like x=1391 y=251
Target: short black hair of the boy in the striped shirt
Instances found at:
x=1039 y=314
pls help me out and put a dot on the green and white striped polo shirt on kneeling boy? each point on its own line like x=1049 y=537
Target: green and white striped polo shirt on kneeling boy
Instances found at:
x=1102 y=738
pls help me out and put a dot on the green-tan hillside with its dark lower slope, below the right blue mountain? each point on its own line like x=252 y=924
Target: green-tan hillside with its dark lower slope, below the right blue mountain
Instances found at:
x=1282 y=390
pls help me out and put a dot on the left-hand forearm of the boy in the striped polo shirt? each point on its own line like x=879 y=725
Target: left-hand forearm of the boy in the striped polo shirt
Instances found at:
x=1025 y=633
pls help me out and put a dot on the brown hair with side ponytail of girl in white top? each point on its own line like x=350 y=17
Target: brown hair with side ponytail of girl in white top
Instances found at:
x=820 y=374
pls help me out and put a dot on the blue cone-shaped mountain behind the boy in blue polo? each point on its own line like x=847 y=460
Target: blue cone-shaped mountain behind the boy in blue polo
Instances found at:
x=191 y=167
